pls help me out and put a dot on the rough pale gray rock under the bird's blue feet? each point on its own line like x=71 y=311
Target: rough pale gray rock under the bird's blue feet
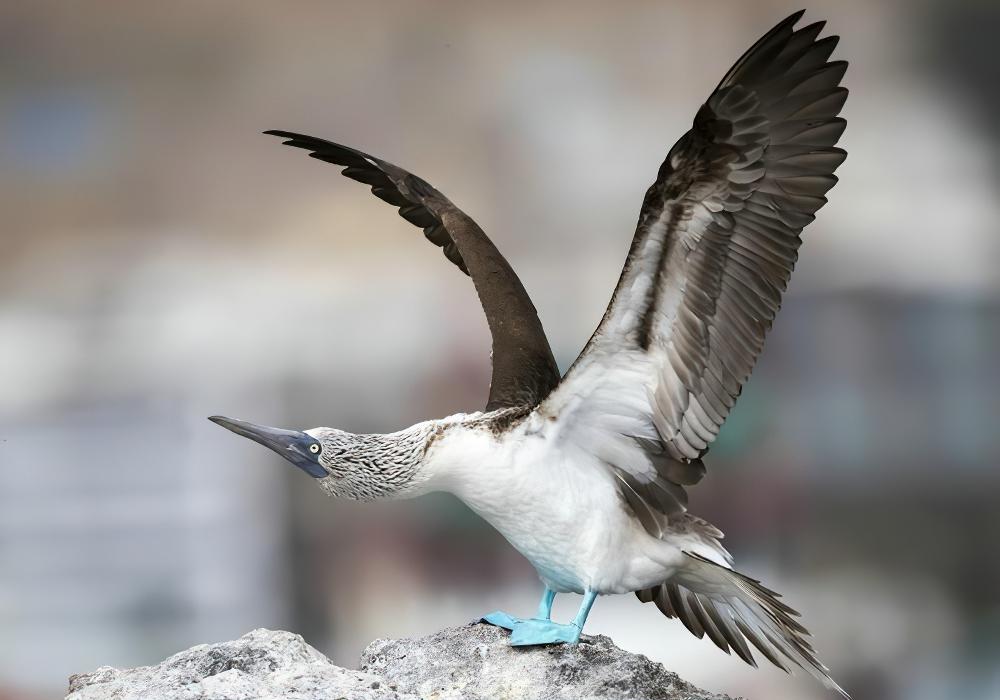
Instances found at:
x=472 y=662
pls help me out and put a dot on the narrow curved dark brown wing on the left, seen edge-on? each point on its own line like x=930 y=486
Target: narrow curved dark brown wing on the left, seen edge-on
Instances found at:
x=524 y=370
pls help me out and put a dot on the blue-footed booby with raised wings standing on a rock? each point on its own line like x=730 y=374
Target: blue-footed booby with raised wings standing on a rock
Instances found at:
x=586 y=473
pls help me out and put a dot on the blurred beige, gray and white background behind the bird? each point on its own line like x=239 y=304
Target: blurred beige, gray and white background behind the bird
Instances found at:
x=162 y=261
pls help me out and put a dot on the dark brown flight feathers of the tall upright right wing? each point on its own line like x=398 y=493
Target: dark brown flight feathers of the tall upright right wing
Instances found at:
x=735 y=195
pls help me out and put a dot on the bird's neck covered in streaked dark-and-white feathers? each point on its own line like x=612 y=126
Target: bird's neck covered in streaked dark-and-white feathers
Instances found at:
x=377 y=466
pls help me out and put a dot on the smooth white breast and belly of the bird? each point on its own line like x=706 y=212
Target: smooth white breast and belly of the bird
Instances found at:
x=564 y=515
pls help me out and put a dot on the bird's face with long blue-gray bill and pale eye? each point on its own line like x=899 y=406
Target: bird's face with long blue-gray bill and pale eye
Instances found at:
x=315 y=451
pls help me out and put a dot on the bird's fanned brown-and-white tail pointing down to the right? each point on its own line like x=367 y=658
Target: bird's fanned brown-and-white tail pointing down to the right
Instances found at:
x=733 y=609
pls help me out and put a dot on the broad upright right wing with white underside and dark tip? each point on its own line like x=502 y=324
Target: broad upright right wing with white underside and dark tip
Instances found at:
x=717 y=238
